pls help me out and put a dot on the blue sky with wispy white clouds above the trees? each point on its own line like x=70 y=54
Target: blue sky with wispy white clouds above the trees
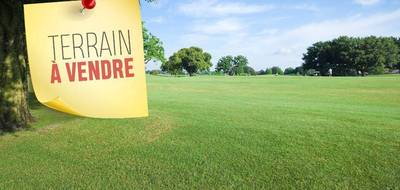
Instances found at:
x=268 y=32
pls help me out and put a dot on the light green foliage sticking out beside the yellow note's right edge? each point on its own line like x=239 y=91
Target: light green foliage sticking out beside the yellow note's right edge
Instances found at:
x=153 y=47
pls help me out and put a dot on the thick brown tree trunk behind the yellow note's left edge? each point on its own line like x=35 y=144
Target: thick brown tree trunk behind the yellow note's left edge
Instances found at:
x=14 y=112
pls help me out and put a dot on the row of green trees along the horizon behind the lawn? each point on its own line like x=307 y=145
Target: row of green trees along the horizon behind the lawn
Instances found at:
x=344 y=56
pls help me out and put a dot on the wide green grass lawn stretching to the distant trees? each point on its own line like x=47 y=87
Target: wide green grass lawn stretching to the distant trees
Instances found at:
x=221 y=132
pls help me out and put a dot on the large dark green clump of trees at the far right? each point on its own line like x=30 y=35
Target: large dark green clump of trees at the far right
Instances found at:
x=348 y=56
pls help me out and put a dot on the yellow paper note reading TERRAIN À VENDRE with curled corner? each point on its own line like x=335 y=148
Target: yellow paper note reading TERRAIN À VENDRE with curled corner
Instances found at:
x=89 y=64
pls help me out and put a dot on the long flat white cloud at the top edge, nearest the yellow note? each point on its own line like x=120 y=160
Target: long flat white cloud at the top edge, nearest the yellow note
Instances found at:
x=212 y=8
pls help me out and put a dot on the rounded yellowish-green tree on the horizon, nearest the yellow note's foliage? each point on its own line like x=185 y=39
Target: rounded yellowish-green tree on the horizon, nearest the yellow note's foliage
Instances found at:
x=191 y=59
